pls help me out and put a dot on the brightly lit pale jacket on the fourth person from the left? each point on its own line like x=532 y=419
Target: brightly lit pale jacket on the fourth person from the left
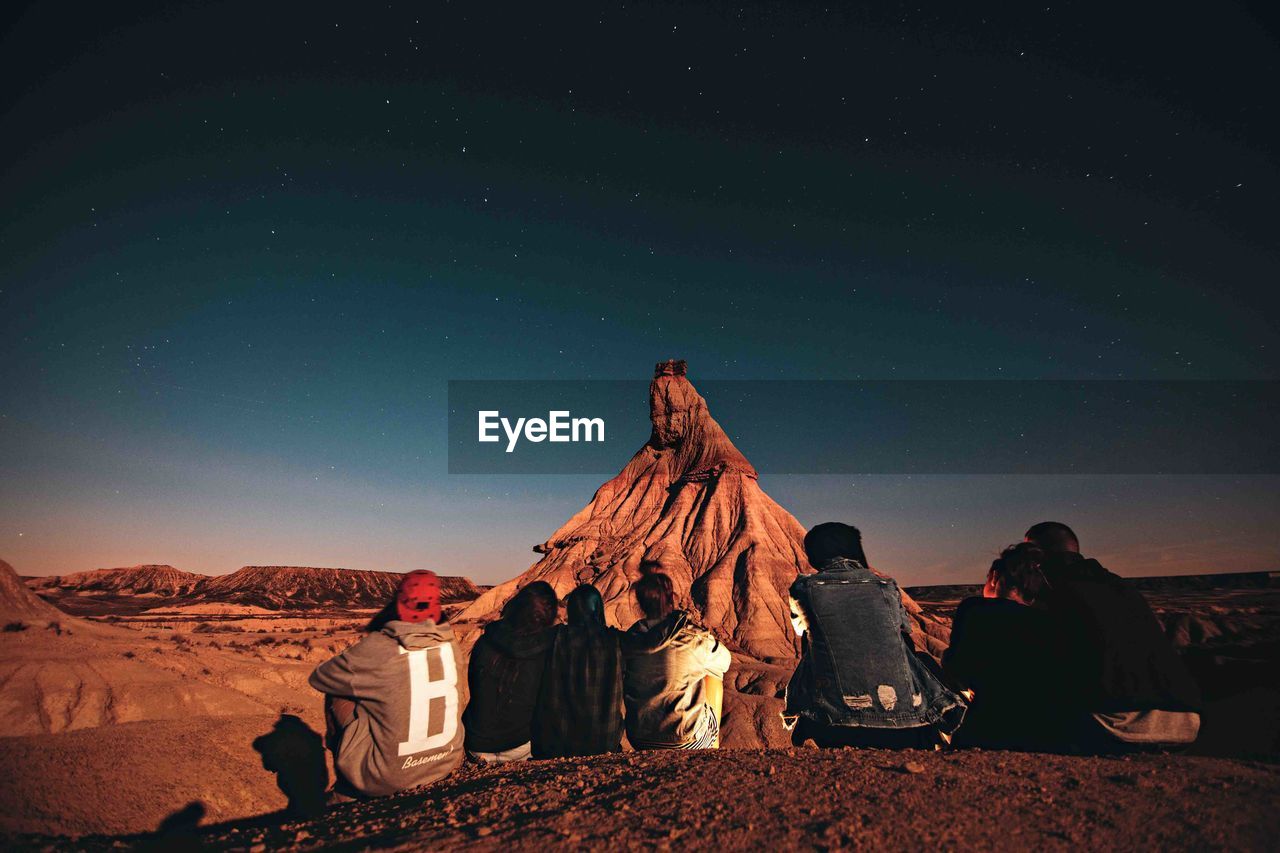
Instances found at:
x=665 y=663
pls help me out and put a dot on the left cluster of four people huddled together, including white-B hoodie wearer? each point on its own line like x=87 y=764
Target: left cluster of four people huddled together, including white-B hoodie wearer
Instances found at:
x=538 y=690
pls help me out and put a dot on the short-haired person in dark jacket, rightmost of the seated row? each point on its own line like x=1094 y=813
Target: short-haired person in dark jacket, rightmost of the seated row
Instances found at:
x=1122 y=667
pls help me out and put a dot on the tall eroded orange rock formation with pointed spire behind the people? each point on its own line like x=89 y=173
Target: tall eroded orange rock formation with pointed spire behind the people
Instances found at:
x=689 y=505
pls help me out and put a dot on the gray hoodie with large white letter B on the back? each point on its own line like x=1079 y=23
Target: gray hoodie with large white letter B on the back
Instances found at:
x=408 y=729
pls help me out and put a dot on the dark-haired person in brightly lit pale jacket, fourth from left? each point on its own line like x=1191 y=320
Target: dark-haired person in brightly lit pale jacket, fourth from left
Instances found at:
x=668 y=659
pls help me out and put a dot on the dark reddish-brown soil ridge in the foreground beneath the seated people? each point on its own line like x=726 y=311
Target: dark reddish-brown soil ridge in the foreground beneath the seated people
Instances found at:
x=804 y=799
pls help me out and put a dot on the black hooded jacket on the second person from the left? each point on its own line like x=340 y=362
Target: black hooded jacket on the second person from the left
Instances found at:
x=505 y=676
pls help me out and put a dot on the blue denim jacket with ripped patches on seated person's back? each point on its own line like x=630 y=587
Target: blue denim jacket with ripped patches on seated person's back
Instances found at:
x=857 y=668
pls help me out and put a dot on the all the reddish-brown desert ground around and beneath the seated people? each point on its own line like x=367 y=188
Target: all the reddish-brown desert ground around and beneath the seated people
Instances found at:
x=168 y=724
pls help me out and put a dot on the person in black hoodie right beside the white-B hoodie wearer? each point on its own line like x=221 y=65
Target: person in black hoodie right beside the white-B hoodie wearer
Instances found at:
x=506 y=674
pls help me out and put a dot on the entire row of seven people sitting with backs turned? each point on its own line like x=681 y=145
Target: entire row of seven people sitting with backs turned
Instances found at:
x=1057 y=655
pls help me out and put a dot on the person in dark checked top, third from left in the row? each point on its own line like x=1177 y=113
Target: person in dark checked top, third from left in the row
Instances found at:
x=580 y=704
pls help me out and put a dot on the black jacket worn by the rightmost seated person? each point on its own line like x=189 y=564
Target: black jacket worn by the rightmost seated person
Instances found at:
x=1119 y=658
